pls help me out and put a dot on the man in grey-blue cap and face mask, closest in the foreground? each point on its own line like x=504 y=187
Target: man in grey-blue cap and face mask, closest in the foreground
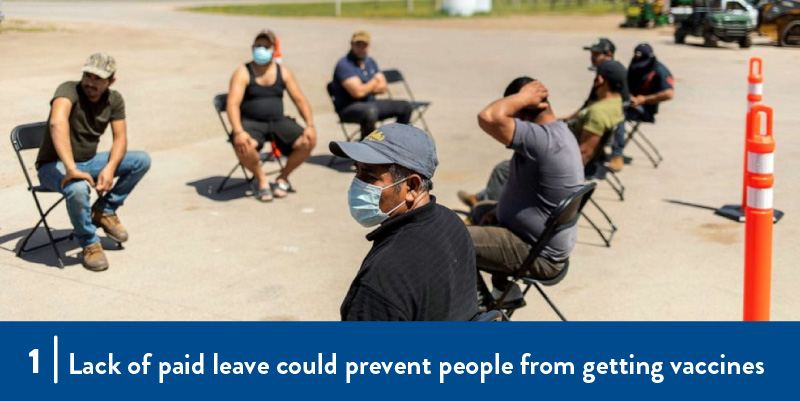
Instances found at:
x=422 y=262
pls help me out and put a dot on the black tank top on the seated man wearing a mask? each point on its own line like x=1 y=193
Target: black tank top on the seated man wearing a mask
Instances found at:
x=263 y=103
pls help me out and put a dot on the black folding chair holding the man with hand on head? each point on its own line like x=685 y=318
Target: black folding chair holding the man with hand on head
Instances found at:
x=565 y=215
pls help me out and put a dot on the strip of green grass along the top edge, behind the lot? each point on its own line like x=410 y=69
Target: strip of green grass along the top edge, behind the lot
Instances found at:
x=398 y=9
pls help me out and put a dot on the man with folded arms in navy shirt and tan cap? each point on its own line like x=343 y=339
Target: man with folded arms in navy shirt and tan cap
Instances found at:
x=356 y=81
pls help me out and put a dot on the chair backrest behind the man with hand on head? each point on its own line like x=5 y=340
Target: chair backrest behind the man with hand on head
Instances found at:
x=565 y=215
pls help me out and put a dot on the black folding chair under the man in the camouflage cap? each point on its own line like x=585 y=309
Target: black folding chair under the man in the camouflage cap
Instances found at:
x=30 y=136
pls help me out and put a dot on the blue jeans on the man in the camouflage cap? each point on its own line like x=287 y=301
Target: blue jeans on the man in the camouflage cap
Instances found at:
x=77 y=193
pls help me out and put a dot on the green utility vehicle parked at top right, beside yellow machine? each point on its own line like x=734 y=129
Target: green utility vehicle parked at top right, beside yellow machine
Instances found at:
x=715 y=20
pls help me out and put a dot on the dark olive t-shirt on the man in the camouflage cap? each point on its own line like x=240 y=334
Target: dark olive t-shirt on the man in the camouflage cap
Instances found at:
x=87 y=122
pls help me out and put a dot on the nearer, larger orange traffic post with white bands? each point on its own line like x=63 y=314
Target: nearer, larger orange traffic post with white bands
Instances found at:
x=759 y=216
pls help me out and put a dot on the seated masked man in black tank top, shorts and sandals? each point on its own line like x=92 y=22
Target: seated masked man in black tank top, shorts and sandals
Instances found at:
x=255 y=110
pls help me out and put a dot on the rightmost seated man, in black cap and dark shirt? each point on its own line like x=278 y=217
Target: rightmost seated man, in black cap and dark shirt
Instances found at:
x=650 y=83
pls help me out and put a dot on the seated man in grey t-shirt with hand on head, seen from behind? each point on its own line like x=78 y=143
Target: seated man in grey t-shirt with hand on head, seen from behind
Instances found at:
x=545 y=169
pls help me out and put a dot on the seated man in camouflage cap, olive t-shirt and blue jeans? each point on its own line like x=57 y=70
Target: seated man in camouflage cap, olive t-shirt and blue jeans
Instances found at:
x=69 y=163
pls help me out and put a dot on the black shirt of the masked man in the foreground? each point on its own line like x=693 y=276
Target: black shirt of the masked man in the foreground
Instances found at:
x=421 y=267
